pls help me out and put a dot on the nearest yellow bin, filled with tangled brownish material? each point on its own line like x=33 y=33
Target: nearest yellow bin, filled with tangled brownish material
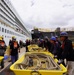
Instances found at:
x=38 y=63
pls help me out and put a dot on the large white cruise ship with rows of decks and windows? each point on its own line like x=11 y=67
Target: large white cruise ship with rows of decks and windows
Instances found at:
x=11 y=24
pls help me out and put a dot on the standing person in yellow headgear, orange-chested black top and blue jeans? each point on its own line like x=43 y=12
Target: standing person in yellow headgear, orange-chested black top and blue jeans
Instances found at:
x=14 y=47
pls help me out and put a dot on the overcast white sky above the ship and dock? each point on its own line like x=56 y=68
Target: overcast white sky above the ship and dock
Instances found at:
x=45 y=13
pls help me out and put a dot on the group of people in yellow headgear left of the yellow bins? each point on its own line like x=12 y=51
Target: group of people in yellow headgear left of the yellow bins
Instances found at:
x=14 y=49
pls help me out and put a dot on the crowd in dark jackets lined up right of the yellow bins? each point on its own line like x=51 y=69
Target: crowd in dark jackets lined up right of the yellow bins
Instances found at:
x=61 y=47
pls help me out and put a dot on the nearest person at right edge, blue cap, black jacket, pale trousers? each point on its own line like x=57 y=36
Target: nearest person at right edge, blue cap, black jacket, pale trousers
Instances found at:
x=67 y=52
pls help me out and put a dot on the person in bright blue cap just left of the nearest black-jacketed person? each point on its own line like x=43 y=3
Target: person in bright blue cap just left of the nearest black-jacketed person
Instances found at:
x=55 y=46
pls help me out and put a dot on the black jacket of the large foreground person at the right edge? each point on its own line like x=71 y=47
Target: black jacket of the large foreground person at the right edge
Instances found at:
x=67 y=51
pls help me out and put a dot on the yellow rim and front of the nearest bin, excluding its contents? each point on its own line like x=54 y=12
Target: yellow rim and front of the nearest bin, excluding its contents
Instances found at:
x=37 y=72
